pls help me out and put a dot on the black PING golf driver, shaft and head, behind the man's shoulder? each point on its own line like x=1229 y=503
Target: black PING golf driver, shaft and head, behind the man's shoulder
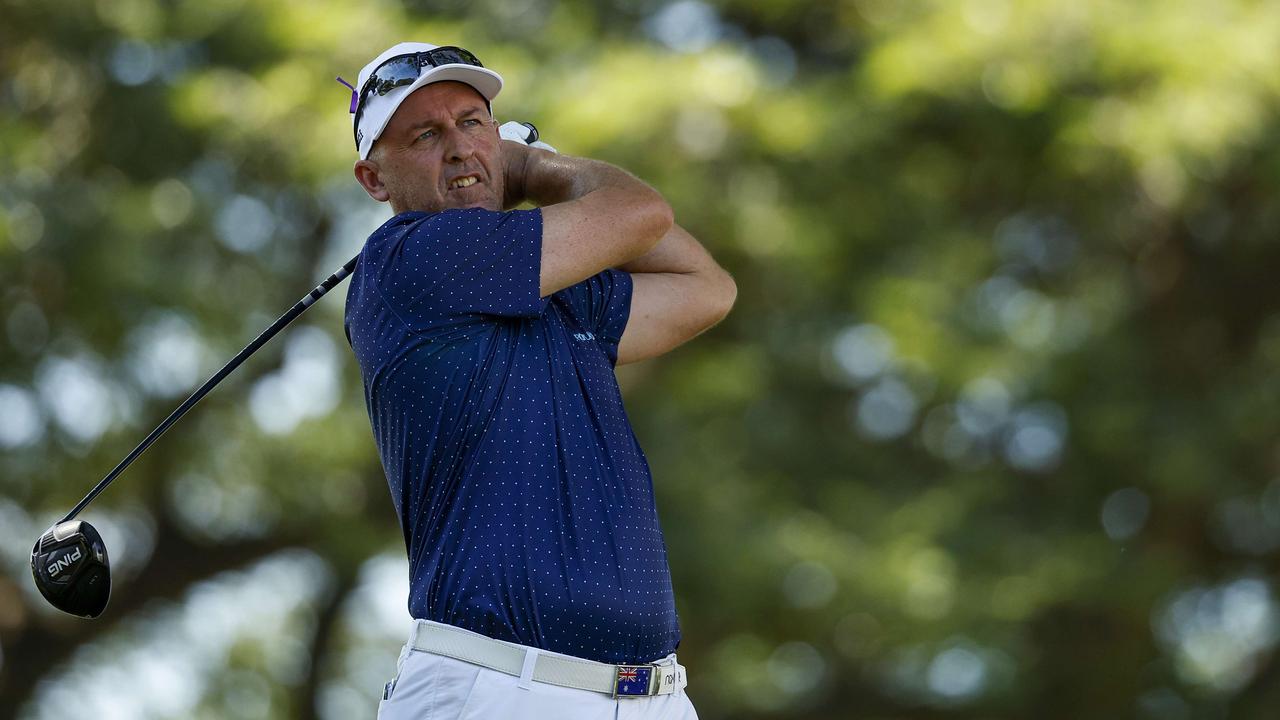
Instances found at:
x=70 y=560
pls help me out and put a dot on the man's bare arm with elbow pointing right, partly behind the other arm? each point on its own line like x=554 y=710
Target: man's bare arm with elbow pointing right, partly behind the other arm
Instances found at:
x=678 y=293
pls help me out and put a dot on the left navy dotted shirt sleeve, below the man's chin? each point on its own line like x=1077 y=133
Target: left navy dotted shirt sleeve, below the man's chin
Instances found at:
x=461 y=265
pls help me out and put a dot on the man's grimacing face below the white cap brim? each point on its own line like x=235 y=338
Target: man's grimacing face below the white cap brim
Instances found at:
x=441 y=151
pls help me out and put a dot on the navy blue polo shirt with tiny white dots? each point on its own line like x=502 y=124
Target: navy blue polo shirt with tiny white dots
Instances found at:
x=525 y=500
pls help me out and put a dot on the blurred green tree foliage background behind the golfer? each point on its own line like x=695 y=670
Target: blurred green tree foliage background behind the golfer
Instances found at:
x=990 y=434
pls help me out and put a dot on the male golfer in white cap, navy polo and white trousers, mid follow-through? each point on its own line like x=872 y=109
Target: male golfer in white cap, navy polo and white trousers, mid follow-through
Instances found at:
x=487 y=341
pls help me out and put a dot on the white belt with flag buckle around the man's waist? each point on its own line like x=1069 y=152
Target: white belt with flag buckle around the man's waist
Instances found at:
x=532 y=664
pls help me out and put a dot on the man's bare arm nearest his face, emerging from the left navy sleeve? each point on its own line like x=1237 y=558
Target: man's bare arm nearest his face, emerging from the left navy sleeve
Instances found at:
x=595 y=216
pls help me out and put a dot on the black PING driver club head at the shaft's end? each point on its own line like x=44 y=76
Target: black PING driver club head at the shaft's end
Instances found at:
x=72 y=571
